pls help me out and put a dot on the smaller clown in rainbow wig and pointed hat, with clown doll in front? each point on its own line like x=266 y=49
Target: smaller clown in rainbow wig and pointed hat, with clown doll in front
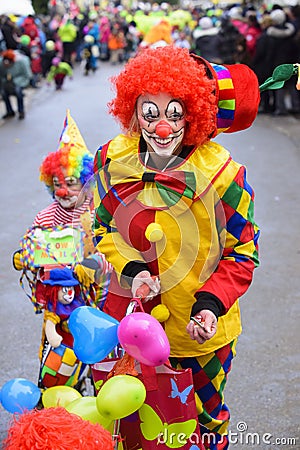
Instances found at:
x=68 y=176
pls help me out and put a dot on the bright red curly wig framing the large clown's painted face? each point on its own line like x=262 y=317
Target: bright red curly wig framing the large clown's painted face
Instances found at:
x=170 y=70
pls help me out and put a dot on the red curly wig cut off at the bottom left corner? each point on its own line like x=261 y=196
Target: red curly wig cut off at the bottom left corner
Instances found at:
x=55 y=428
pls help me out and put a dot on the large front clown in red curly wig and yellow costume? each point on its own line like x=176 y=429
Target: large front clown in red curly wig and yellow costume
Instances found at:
x=174 y=211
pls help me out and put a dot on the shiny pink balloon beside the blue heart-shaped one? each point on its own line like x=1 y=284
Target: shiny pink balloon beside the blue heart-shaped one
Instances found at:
x=143 y=338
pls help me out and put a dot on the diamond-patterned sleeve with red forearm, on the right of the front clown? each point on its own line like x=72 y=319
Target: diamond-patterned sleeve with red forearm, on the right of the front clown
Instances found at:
x=234 y=272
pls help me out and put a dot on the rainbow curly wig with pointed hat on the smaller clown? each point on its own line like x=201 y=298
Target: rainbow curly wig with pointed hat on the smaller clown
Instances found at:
x=71 y=159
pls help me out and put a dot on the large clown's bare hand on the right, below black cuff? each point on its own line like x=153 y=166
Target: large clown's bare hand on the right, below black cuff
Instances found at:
x=202 y=326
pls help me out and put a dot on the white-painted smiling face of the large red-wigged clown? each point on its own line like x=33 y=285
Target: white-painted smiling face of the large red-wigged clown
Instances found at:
x=162 y=122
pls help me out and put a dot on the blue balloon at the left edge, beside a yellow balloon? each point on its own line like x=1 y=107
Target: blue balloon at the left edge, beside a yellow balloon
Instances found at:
x=19 y=395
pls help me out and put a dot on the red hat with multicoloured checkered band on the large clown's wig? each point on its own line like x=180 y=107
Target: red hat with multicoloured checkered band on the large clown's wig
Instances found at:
x=238 y=95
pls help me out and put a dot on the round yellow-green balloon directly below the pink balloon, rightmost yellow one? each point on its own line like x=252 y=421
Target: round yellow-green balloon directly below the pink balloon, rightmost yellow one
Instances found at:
x=120 y=396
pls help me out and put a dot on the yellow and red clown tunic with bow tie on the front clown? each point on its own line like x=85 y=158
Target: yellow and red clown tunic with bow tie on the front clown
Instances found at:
x=133 y=201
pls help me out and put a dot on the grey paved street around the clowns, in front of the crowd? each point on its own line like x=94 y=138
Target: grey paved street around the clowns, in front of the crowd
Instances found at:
x=263 y=388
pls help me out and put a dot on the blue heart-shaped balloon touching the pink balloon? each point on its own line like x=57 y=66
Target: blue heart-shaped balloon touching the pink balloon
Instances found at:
x=94 y=332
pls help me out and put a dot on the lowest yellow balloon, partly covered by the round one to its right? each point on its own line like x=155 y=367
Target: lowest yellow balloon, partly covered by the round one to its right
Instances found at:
x=86 y=408
